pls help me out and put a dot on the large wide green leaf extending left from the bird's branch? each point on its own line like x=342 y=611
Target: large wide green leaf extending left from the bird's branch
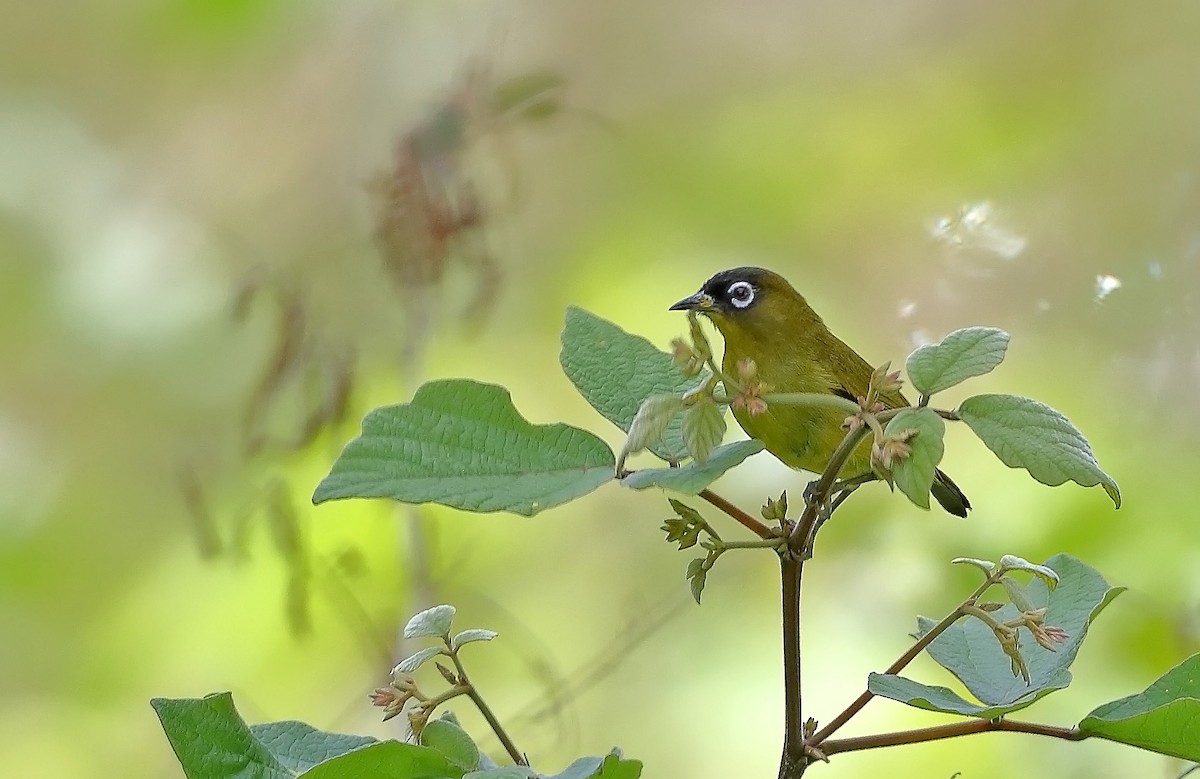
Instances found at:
x=464 y=445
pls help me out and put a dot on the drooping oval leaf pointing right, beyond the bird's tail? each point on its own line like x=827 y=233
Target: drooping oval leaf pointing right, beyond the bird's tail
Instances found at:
x=1025 y=434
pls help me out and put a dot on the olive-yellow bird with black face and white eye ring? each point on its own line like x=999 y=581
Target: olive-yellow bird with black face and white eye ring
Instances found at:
x=764 y=319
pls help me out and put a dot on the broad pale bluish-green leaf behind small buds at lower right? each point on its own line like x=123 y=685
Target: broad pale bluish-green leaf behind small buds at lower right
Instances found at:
x=969 y=649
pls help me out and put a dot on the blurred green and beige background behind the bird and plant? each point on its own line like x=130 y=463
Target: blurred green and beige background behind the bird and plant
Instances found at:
x=229 y=230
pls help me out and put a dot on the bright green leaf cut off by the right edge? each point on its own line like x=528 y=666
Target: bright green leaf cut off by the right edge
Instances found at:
x=1165 y=718
